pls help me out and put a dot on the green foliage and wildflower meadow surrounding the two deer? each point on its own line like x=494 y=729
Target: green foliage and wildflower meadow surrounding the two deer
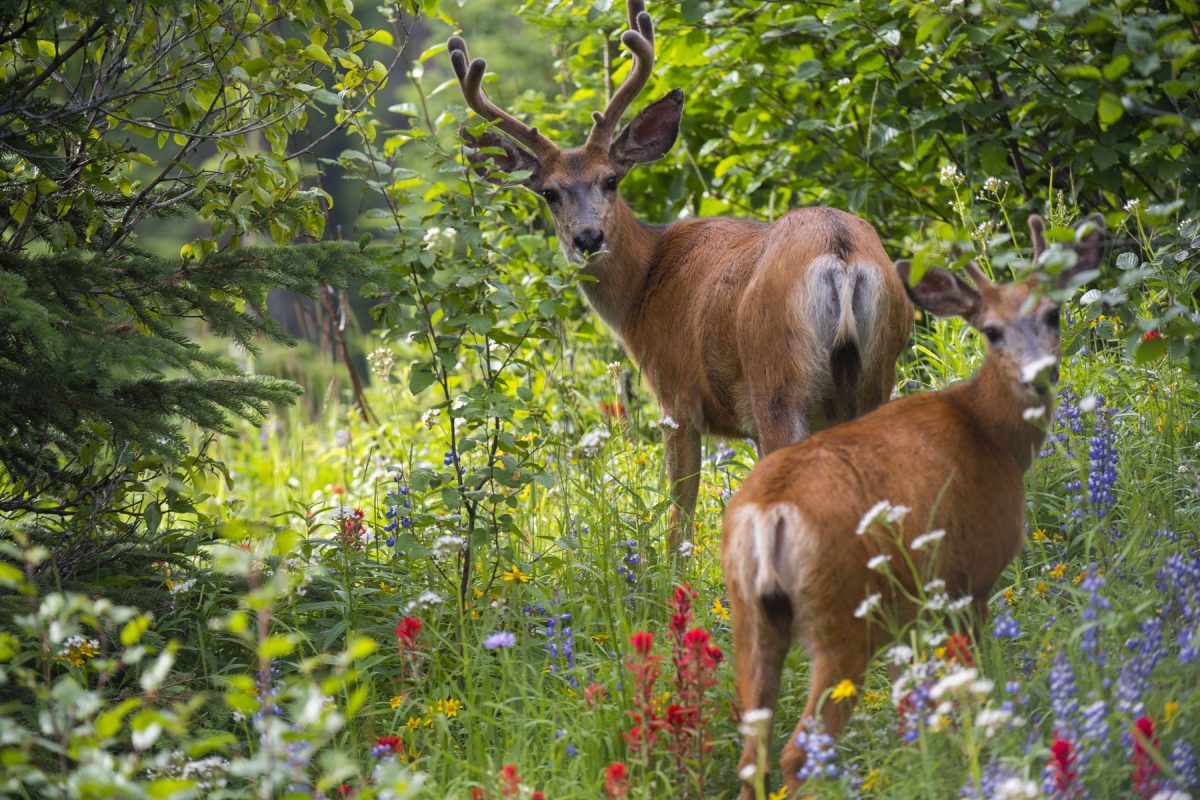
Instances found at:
x=460 y=587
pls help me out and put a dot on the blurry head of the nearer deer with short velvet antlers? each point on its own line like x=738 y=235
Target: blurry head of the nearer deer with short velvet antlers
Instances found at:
x=1018 y=320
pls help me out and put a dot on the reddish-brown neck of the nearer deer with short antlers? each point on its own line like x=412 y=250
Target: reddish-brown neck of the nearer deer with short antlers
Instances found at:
x=1005 y=414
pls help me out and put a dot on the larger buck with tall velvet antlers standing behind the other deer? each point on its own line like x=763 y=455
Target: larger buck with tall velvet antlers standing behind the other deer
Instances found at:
x=742 y=329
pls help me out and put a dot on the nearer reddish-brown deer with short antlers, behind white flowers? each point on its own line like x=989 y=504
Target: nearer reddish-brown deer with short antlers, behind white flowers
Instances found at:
x=795 y=552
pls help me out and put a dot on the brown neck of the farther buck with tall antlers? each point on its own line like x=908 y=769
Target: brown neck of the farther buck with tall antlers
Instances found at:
x=617 y=279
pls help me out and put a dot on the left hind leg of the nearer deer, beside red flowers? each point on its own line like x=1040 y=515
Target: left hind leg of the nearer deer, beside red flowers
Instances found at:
x=763 y=636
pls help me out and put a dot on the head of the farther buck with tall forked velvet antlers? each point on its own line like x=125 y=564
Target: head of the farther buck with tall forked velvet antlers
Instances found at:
x=580 y=184
